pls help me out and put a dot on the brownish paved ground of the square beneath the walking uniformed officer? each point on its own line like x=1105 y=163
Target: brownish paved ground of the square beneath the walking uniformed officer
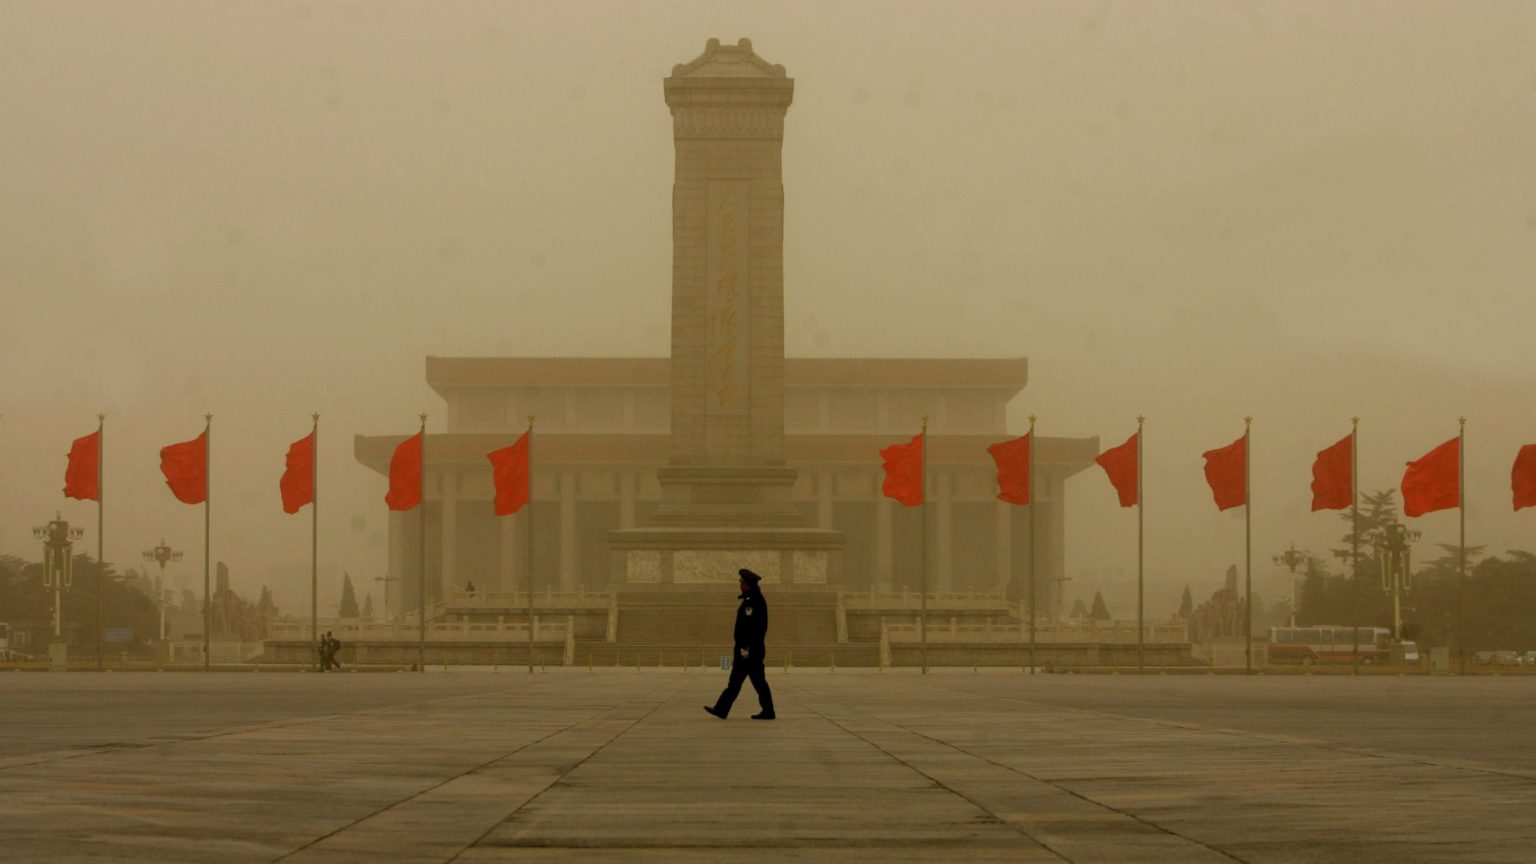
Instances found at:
x=615 y=765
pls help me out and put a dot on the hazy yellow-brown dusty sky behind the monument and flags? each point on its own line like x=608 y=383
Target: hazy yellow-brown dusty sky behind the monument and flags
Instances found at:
x=1193 y=211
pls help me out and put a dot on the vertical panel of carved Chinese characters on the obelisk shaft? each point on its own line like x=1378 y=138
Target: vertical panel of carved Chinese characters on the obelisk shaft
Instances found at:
x=727 y=299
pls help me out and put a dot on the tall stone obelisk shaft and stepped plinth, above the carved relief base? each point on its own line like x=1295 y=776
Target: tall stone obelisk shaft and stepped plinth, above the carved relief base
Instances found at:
x=727 y=337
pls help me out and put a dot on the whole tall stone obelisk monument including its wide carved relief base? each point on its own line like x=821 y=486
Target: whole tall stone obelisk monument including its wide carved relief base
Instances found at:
x=727 y=488
